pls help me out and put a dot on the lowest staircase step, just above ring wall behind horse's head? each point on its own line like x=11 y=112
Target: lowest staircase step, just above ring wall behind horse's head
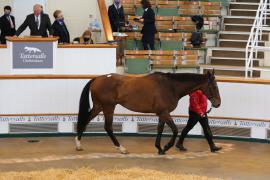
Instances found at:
x=228 y=70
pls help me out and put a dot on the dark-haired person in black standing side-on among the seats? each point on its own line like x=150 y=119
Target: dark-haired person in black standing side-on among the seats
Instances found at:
x=149 y=28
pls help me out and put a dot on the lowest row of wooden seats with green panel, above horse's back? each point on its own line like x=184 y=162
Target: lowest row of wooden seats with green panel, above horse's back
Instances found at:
x=138 y=61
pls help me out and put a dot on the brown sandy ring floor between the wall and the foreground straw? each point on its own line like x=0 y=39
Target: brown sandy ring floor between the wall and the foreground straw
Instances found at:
x=238 y=160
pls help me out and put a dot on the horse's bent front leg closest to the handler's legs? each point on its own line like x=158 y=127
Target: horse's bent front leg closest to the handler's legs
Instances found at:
x=169 y=121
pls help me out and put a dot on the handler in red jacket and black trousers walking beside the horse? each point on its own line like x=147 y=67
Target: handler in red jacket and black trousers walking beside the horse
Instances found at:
x=197 y=112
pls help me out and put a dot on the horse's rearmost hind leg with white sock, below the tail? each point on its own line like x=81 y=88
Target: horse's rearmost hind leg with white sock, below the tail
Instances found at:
x=81 y=125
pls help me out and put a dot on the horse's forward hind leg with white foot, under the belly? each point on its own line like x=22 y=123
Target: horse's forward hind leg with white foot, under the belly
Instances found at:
x=108 y=126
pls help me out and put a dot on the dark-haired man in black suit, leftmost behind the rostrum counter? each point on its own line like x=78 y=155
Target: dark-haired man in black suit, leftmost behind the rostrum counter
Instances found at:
x=7 y=25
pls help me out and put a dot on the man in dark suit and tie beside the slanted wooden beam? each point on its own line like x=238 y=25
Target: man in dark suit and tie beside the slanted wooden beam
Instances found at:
x=116 y=16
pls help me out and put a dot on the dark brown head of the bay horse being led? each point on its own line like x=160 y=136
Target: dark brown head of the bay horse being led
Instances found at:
x=211 y=90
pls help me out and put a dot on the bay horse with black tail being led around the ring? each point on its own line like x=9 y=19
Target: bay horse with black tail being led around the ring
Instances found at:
x=156 y=93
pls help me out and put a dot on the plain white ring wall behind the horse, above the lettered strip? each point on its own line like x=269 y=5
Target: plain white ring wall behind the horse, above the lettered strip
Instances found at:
x=62 y=96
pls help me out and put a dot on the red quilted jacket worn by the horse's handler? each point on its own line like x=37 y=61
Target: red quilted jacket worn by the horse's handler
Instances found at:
x=198 y=102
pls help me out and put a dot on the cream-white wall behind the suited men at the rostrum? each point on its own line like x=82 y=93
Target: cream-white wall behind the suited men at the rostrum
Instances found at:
x=76 y=12
